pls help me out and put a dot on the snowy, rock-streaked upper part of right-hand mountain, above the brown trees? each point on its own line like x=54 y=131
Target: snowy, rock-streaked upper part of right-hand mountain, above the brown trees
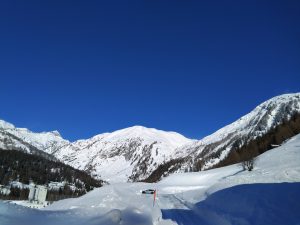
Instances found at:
x=263 y=119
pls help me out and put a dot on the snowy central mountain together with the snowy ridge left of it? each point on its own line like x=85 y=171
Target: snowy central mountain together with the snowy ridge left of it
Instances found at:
x=128 y=154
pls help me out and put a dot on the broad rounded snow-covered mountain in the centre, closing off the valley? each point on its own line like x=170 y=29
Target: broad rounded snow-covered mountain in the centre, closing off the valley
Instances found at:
x=127 y=154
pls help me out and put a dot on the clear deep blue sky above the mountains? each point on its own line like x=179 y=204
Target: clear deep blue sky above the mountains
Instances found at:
x=87 y=67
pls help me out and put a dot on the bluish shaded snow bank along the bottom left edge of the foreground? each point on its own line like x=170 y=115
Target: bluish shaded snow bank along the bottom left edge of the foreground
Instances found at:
x=16 y=215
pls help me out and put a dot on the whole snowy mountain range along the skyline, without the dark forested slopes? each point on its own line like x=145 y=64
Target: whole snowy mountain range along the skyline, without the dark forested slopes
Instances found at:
x=137 y=152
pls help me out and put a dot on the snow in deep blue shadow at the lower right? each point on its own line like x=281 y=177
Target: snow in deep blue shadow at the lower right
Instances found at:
x=252 y=204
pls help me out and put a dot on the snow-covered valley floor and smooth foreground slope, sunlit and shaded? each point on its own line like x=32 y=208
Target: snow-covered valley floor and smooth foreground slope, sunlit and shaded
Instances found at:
x=270 y=194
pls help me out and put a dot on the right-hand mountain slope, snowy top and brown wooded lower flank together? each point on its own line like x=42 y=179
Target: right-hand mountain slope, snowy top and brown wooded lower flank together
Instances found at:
x=268 y=124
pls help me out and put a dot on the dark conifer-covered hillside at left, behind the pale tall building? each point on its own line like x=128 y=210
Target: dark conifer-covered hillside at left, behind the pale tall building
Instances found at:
x=23 y=167
